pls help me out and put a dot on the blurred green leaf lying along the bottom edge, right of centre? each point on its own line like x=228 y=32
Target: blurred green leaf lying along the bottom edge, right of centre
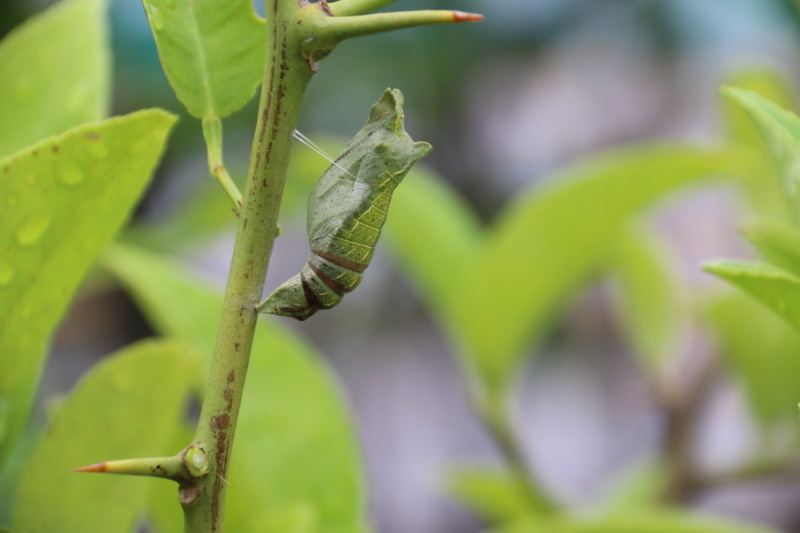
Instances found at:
x=645 y=522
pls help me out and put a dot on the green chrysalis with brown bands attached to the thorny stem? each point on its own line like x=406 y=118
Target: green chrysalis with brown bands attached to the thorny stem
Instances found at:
x=347 y=210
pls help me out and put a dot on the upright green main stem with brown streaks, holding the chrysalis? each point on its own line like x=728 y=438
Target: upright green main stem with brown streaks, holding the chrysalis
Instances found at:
x=285 y=78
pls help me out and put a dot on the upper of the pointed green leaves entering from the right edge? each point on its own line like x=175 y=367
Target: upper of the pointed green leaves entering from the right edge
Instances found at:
x=780 y=130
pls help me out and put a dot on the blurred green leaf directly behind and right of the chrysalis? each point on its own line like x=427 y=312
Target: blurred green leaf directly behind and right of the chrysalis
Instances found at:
x=434 y=234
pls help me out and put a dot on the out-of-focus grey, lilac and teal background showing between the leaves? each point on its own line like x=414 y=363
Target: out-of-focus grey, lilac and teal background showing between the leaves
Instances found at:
x=538 y=85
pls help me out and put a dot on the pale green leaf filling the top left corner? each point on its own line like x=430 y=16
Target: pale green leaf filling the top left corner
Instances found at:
x=54 y=73
